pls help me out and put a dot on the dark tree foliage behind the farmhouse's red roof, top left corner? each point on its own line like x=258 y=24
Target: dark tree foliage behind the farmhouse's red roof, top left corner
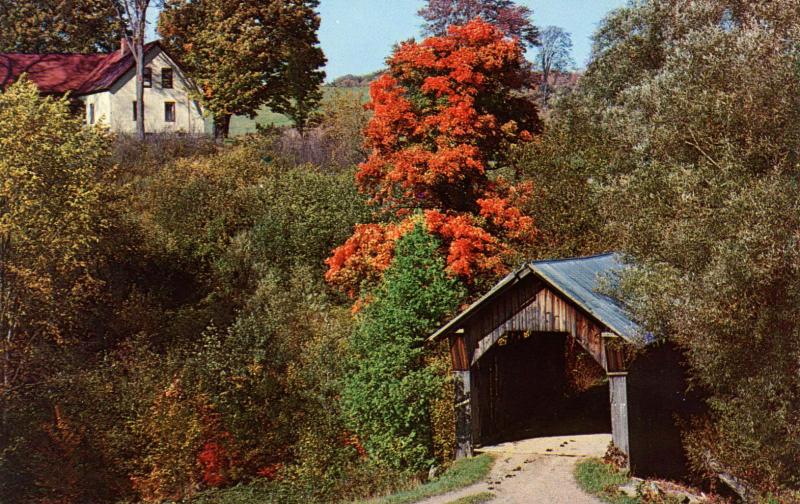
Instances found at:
x=44 y=26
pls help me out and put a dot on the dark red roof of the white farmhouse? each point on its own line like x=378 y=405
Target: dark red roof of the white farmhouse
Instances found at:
x=59 y=73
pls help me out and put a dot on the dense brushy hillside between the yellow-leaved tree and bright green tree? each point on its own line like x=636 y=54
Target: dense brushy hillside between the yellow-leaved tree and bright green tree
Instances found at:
x=209 y=351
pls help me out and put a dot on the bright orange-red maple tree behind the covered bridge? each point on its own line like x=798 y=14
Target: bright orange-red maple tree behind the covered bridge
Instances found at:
x=448 y=111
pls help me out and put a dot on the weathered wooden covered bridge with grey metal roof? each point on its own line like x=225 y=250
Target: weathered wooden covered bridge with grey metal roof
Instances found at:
x=507 y=353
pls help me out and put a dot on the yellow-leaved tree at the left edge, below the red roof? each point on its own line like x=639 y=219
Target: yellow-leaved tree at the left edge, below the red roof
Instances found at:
x=49 y=219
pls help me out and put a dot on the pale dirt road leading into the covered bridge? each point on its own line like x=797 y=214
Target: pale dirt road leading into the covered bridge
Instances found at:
x=534 y=471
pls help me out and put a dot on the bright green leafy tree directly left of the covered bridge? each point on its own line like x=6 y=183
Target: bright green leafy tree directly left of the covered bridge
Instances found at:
x=388 y=395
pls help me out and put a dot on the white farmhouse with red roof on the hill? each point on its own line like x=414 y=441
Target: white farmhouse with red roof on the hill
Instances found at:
x=105 y=84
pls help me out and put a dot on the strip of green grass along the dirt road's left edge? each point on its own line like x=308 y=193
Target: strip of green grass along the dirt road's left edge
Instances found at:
x=463 y=472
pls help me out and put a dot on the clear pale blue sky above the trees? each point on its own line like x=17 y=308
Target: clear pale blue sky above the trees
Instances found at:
x=357 y=35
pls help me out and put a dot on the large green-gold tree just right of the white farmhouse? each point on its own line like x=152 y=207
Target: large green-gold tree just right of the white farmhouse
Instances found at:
x=245 y=55
